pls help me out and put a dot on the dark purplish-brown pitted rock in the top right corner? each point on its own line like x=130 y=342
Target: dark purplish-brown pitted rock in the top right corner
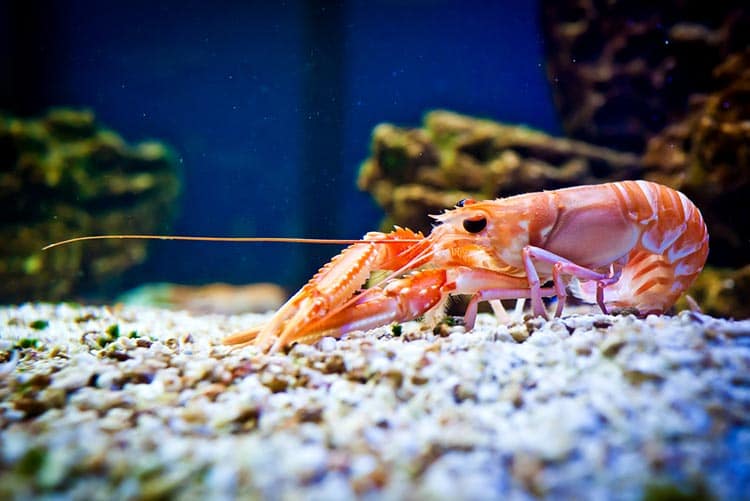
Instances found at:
x=623 y=70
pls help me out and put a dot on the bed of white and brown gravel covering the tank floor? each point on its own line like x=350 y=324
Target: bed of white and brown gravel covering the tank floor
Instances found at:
x=140 y=403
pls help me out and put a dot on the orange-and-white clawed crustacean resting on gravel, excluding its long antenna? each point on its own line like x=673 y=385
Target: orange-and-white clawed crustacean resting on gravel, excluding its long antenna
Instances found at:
x=632 y=245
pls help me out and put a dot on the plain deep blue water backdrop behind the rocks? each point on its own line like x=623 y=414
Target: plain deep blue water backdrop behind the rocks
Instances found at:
x=270 y=106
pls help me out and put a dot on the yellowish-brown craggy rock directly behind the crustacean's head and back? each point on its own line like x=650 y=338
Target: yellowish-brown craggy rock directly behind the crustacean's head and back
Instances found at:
x=415 y=172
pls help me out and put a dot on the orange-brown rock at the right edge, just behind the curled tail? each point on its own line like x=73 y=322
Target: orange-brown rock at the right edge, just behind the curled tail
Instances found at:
x=706 y=155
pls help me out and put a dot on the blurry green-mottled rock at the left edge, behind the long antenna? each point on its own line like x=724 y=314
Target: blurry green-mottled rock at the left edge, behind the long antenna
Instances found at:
x=61 y=176
